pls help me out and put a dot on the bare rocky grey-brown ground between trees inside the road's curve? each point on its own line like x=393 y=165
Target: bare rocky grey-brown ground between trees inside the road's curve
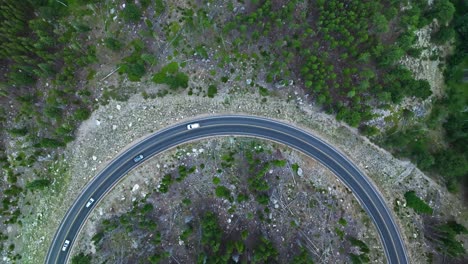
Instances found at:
x=313 y=199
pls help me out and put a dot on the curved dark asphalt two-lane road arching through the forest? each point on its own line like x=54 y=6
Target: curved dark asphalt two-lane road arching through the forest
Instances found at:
x=350 y=175
